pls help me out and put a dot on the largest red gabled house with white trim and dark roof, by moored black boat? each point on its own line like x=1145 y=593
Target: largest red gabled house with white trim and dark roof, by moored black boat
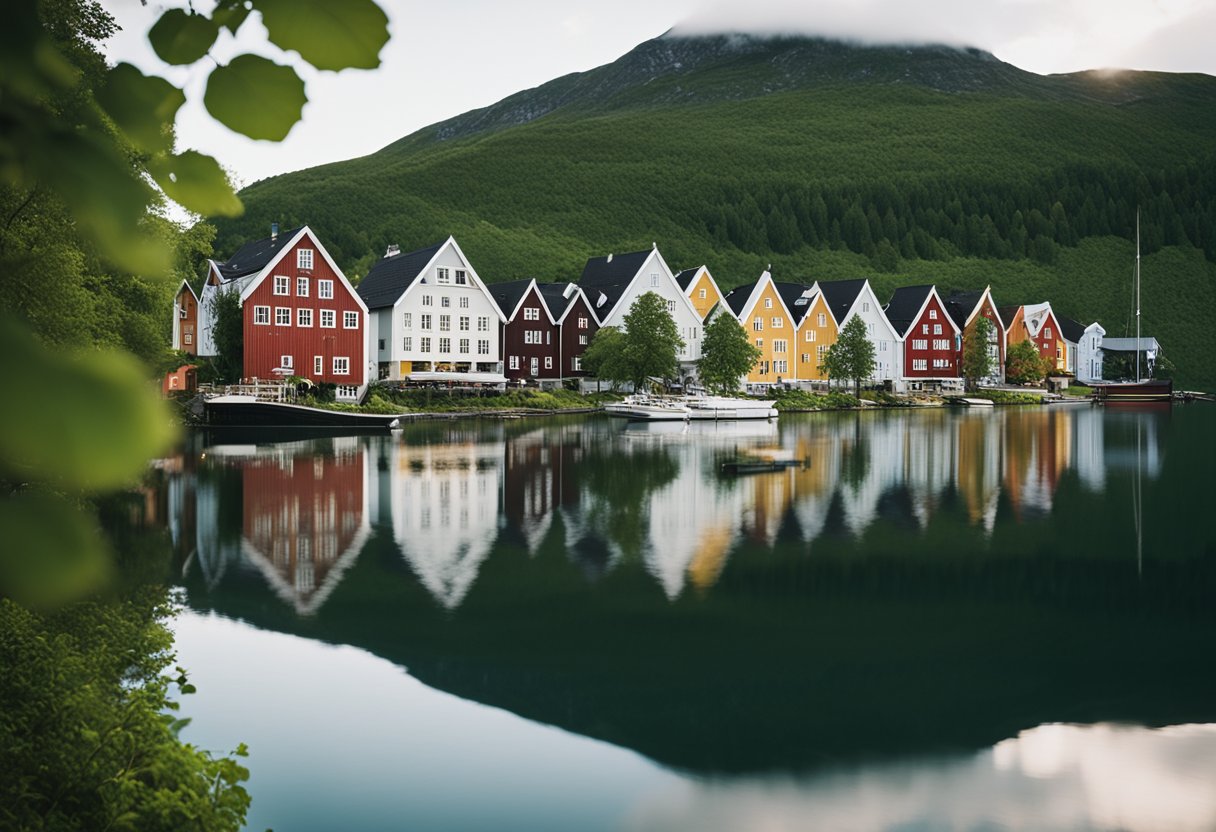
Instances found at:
x=301 y=316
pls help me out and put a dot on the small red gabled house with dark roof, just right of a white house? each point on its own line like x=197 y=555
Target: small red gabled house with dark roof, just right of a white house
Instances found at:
x=931 y=341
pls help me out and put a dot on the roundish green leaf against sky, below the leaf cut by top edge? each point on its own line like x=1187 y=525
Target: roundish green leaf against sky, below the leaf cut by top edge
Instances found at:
x=256 y=97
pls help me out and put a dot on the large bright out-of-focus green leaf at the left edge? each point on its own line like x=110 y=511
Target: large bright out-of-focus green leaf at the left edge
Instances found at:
x=87 y=421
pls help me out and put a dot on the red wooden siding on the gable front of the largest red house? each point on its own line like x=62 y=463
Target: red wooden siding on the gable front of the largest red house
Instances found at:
x=267 y=344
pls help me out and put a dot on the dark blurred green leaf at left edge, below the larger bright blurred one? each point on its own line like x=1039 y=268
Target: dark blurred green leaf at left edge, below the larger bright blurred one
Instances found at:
x=53 y=550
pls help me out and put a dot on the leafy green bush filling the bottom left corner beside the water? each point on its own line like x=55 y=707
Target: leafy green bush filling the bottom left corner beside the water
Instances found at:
x=88 y=740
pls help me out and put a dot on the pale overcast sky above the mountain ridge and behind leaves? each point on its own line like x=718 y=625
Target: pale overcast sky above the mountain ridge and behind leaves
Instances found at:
x=446 y=59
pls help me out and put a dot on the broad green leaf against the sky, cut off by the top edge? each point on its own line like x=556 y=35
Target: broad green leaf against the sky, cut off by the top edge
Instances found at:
x=330 y=36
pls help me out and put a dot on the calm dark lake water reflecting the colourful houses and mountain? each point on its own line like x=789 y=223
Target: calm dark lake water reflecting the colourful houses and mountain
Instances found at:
x=939 y=620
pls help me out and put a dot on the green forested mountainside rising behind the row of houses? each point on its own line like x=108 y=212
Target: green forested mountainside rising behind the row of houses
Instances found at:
x=826 y=161
